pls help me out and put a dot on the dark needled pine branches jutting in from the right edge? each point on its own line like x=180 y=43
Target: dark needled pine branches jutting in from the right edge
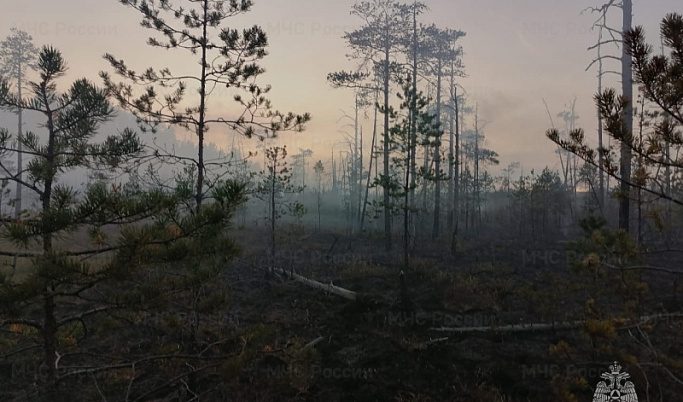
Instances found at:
x=659 y=79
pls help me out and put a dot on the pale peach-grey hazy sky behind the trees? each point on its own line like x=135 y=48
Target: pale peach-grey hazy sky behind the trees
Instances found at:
x=516 y=54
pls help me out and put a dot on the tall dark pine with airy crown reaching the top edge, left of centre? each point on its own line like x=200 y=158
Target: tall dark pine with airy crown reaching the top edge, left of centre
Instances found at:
x=227 y=59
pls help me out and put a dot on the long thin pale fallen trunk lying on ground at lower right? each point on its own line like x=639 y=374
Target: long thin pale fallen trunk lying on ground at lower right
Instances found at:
x=554 y=326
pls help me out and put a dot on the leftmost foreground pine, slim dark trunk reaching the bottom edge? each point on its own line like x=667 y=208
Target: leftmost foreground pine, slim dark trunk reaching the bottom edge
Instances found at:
x=71 y=121
